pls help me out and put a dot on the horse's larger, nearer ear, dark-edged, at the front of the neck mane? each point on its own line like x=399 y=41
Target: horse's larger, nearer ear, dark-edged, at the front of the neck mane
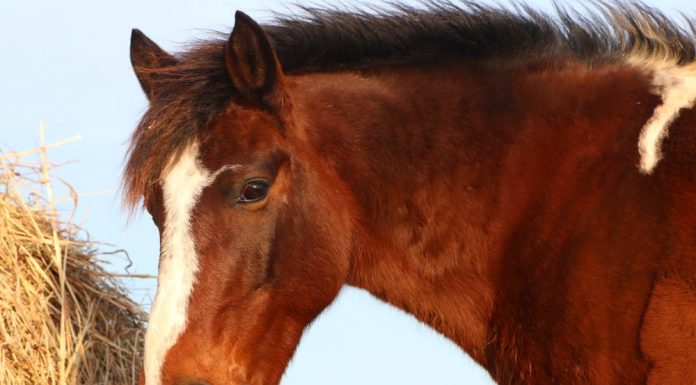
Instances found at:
x=252 y=63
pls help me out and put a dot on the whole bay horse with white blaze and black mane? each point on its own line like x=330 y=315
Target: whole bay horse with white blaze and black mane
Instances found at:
x=524 y=183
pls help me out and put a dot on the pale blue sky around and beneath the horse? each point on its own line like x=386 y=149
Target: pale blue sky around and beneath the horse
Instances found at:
x=66 y=63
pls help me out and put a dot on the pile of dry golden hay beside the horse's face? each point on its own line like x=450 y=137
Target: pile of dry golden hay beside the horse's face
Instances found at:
x=63 y=319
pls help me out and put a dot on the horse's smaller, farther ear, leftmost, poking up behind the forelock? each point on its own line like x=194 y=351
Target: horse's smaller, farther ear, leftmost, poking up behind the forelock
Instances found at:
x=146 y=58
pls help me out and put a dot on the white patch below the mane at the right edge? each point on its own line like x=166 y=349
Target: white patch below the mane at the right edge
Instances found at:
x=676 y=85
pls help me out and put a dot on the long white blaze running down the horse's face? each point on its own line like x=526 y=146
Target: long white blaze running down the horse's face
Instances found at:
x=182 y=186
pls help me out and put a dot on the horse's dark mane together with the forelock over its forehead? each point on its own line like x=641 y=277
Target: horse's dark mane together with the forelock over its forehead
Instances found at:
x=192 y=93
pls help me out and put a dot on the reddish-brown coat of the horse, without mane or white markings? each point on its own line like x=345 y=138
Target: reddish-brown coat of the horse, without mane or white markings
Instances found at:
x=498 y=201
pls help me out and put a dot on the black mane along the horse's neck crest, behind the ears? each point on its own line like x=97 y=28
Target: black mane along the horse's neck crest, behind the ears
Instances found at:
x=331 y=39
